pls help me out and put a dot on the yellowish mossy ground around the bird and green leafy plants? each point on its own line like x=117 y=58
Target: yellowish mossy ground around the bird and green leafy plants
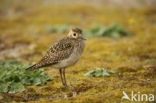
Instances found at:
x=131 y=56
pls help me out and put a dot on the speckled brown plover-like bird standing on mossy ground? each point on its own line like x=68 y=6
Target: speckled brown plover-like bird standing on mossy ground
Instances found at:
x=64 y=53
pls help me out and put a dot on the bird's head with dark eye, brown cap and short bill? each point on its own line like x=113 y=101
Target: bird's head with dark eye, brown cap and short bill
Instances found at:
x=76 y=33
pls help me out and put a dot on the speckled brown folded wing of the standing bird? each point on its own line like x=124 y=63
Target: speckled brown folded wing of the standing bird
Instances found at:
x=59 y=51
